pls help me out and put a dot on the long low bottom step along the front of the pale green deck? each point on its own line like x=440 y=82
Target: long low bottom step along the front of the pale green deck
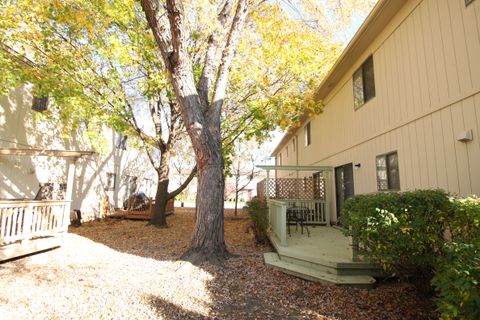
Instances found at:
x=308 y=273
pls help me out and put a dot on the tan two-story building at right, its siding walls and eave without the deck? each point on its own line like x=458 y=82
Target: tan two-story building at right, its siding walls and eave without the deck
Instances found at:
x=402 y=104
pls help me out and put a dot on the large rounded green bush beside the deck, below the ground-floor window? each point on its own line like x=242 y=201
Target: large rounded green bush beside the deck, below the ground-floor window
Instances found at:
x=400 y=231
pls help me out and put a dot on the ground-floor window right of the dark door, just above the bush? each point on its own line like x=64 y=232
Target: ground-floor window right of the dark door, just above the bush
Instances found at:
x=388 y=177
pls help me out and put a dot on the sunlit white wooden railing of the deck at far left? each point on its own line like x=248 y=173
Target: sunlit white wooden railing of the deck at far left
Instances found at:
x=26 y=220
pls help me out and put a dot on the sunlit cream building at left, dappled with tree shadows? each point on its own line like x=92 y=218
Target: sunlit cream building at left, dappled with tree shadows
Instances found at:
x=122 y=171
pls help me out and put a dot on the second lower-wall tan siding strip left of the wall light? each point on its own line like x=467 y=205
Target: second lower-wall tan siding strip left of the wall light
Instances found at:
x=440 y=154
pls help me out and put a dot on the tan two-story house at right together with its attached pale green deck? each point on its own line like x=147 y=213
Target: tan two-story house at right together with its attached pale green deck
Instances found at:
x=401 y=112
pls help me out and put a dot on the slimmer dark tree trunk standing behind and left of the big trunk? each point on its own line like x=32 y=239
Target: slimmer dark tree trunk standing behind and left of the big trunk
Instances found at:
x=159 y=217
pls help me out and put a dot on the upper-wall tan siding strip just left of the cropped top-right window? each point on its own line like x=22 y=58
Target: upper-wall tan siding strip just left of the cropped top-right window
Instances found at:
x=460 y=45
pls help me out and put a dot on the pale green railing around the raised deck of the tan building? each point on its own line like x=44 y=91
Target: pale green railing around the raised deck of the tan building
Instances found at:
x=316 y=213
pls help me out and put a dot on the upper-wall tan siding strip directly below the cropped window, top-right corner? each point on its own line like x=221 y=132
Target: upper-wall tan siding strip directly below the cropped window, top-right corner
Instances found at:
x=472 y=38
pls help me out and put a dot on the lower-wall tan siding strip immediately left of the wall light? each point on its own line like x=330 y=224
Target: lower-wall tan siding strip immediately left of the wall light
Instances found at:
x=450 y=156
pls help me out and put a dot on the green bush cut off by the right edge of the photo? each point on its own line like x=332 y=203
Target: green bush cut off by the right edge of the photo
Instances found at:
x=457 y=274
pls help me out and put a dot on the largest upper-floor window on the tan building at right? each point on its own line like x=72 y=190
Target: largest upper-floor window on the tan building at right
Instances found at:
x=363 y=84
